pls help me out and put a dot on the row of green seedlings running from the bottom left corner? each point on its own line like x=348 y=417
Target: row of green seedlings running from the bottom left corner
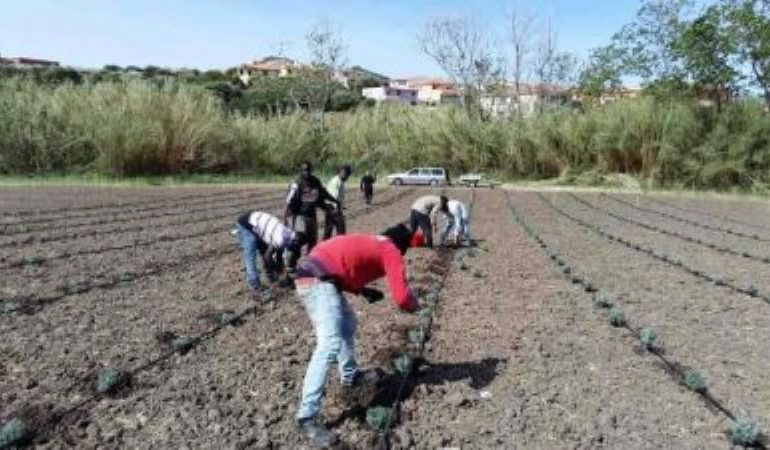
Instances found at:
x=20 y=429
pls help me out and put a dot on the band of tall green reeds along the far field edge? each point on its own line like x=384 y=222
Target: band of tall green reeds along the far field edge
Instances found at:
x=147 y=131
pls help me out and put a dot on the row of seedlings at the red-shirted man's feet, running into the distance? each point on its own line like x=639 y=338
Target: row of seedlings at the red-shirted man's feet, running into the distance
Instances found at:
x=382 y=418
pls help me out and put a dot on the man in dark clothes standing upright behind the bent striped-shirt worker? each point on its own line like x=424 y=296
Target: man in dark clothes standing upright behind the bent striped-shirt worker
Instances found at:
x=306 y=194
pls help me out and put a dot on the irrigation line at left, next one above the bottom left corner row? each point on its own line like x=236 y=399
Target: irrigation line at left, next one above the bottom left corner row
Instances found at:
x=32 y=305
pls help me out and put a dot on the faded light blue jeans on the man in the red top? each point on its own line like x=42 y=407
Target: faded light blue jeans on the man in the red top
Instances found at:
x=335 y=331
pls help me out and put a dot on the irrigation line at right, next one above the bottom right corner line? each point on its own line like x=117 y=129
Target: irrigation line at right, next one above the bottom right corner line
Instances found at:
x=751 y=291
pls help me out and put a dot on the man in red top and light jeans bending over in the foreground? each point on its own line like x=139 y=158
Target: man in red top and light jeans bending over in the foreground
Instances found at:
x=344 y=263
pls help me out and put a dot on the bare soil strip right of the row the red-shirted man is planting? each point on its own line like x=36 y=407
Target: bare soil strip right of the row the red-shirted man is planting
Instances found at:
x=536 y=367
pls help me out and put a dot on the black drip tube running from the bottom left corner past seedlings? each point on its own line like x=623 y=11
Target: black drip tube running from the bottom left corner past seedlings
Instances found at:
x=16 y=433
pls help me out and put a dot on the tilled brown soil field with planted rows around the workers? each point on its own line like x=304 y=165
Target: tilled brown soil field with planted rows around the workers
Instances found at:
x=531 y=339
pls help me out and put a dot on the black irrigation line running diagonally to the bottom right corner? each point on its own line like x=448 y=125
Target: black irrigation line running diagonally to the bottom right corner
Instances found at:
x=560 y=263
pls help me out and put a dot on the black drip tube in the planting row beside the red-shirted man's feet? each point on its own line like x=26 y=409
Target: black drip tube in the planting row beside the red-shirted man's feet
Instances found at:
x=431 y=299
